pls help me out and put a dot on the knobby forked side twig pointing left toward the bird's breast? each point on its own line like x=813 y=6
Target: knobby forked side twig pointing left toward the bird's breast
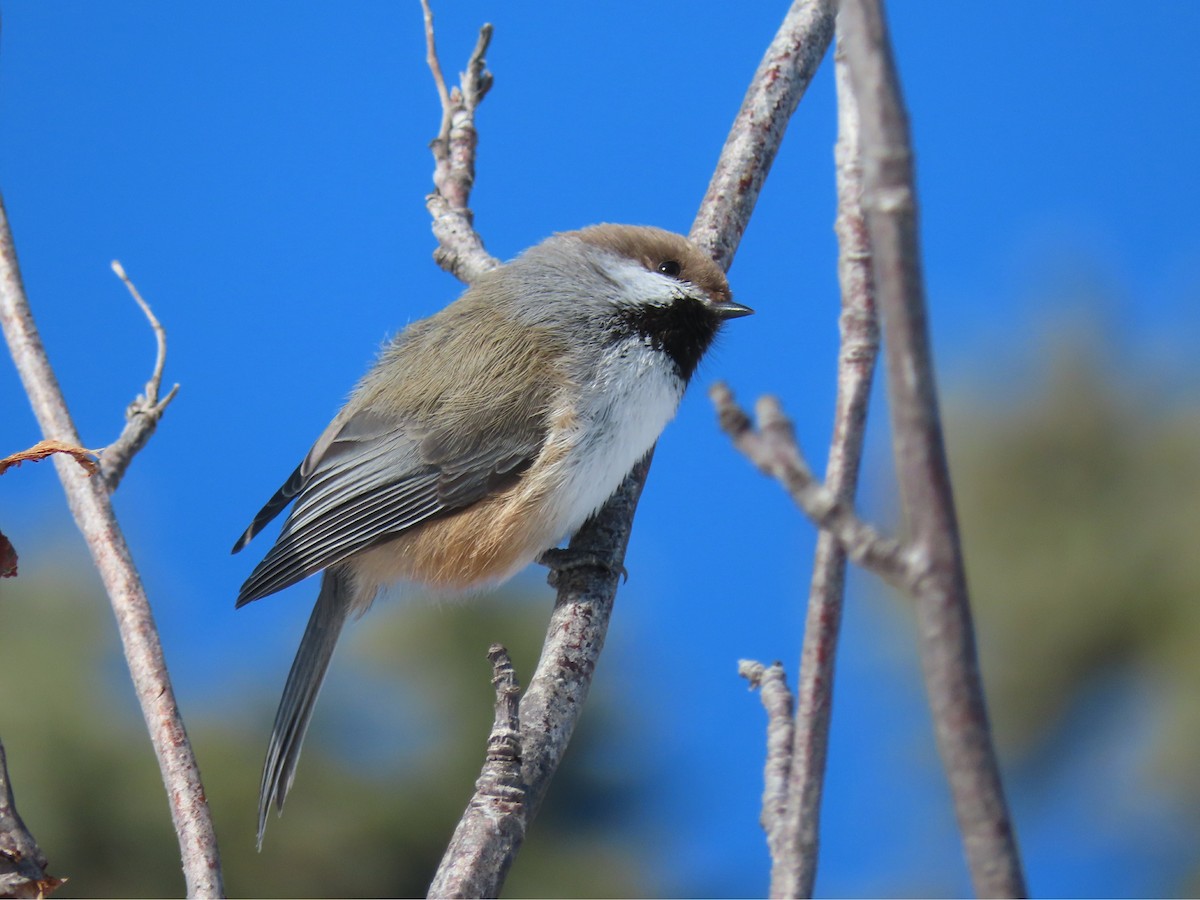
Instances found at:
x=775 y=452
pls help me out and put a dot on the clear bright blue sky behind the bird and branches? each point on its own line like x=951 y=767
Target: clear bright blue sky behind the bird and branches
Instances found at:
x=261 y=171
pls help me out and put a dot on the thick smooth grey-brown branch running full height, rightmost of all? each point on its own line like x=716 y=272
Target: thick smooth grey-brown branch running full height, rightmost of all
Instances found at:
x=944 y=614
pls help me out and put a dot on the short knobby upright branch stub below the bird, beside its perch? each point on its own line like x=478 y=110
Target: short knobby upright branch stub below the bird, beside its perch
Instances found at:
x=488 y=836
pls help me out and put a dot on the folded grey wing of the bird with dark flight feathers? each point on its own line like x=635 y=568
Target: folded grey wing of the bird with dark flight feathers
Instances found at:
x=369 y=479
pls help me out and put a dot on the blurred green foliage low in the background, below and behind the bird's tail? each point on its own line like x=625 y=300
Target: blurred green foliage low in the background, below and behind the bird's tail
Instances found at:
x=88 y=784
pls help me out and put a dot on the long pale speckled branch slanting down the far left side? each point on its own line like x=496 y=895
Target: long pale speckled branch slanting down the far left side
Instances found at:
x=93 y=512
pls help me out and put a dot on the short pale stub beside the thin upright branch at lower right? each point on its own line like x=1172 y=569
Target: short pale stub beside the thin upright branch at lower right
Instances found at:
x=777 y=700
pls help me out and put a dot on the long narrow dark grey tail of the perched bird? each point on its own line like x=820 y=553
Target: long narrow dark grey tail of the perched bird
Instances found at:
x=334 y=604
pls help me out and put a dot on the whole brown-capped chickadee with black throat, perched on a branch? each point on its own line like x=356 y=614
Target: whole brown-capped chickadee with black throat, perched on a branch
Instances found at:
x=485 y=435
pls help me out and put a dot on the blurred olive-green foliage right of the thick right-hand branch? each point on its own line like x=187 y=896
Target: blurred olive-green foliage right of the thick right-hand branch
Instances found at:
x=1079 y=496
